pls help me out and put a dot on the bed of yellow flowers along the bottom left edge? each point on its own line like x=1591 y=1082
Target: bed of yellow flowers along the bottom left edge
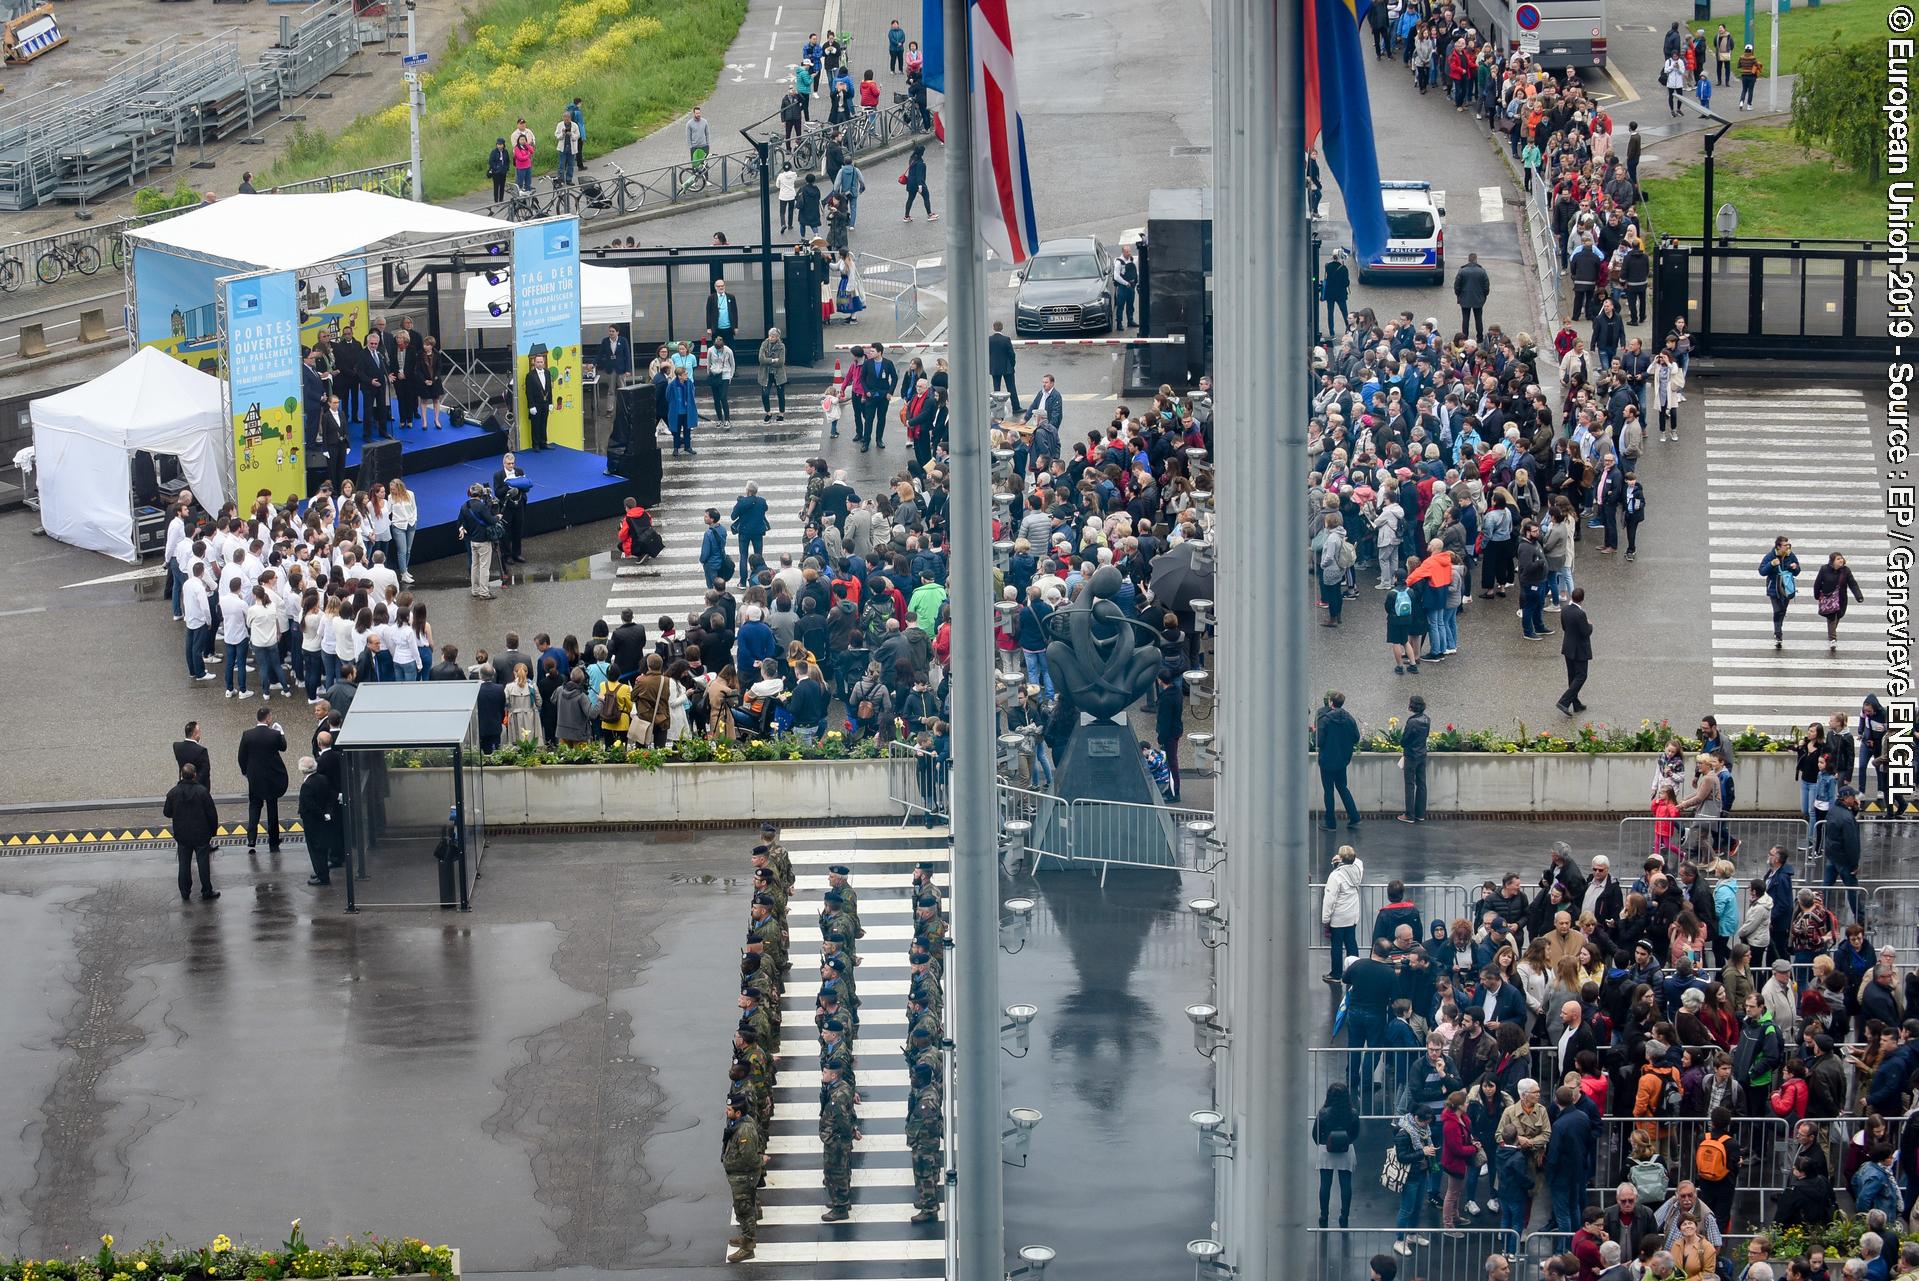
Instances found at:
x=229 y=1261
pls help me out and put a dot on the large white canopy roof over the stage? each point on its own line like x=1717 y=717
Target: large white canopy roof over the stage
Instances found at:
x=283 y=233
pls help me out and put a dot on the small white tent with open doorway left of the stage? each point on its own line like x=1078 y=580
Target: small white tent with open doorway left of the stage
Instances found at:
x=85 y=440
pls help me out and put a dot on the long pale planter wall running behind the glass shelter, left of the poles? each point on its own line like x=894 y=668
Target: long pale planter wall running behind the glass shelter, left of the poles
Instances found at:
x=669 y=795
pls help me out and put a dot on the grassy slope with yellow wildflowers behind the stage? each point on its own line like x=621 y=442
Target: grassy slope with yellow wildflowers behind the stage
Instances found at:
x=638 y=64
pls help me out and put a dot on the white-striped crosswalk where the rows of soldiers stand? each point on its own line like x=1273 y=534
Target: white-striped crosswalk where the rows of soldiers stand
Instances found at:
x=878 y=1240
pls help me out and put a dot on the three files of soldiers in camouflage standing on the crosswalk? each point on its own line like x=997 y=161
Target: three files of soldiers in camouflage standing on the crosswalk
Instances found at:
x=765 y=969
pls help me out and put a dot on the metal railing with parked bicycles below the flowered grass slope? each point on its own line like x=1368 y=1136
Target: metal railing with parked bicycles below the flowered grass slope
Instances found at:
x=719 y=175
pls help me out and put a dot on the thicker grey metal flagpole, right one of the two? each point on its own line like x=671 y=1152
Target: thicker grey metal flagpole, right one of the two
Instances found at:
x=1262 y=363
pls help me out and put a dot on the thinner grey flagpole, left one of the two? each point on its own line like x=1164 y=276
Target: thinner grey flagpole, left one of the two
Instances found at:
x=976 y=812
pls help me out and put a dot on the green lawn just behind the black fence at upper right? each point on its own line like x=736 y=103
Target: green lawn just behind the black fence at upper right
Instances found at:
x=1778 y=187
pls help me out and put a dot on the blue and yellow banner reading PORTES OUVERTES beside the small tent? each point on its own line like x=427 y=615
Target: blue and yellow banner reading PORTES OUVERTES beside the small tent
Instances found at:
x=264 y=384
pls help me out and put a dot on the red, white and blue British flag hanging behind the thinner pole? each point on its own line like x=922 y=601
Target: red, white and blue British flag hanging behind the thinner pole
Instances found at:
x=1003 y=181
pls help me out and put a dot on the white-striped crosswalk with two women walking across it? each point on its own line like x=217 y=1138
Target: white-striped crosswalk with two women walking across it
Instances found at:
x=1803 y=465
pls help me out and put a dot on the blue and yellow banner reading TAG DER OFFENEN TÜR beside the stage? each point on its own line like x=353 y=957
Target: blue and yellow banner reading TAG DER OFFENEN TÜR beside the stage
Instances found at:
x=546 y=321
